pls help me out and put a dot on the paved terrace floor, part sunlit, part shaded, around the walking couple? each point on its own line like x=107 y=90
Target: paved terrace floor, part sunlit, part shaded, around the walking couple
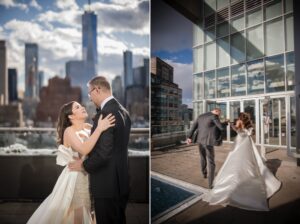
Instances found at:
x=184 y=164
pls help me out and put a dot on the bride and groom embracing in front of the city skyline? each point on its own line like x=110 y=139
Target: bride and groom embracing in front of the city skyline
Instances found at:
x=96 y=162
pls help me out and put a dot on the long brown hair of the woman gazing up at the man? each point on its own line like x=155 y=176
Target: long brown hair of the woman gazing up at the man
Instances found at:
x=63 y=121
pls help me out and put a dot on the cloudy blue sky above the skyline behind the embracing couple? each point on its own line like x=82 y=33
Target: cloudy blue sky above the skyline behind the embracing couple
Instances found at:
x=55 y=25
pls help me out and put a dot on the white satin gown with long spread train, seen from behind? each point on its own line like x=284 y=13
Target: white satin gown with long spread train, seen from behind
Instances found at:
x=243 y=181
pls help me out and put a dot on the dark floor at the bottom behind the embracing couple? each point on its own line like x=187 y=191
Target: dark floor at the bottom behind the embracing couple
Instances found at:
x=19 y=213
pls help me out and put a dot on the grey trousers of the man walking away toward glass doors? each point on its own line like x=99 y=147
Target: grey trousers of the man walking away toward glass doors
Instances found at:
x=207 y=153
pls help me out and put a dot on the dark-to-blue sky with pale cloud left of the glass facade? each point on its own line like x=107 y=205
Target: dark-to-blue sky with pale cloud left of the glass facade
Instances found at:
x=171 y=40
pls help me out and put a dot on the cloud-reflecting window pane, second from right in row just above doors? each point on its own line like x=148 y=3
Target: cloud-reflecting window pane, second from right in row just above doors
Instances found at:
x=275 y=74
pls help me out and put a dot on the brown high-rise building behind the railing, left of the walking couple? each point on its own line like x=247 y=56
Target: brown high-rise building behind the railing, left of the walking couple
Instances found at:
x=166 y=100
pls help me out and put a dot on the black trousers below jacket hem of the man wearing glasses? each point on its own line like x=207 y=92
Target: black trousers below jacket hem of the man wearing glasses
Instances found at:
x=111 y=210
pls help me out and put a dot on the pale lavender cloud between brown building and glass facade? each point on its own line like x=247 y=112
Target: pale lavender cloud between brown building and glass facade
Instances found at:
x=183 y=76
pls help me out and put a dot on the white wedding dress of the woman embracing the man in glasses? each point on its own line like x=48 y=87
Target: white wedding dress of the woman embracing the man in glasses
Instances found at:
x=70 y=193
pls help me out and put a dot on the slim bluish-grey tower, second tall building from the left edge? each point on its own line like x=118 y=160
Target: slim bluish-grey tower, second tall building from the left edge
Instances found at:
x=31 y=70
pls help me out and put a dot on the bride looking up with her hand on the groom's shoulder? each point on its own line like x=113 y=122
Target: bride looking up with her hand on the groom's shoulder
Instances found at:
x=70 y=201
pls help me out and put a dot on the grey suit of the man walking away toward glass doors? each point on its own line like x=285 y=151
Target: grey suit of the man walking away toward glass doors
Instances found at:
x=208 y=126
